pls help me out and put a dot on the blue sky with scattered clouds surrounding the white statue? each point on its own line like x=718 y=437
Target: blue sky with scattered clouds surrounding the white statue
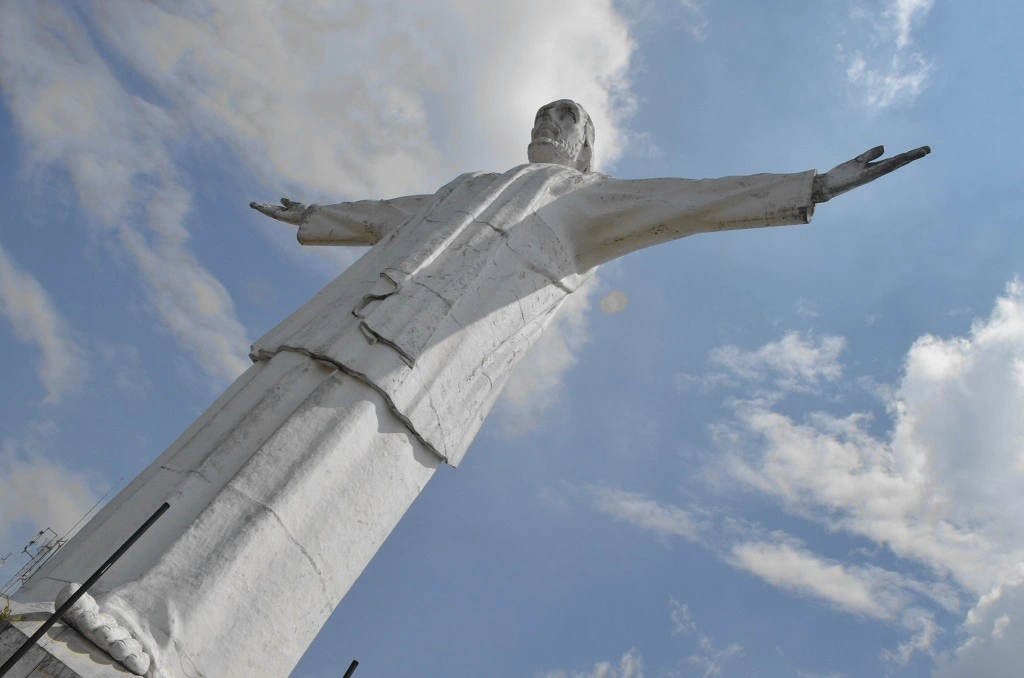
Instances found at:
x=787 y=452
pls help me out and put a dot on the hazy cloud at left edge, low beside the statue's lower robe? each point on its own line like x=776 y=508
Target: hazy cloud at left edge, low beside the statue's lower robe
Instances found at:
x=37 y=492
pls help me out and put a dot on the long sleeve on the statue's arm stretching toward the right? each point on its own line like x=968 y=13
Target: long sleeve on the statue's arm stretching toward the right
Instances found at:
x=613 y=218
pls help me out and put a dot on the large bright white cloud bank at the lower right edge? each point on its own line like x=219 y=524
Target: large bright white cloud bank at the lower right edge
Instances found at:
x=944 y=488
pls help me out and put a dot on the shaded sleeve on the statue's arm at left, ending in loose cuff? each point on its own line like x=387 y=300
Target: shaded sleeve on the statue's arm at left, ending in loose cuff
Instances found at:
x=363 y=223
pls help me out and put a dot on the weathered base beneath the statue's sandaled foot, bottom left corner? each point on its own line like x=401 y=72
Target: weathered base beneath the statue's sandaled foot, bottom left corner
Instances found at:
x=63 y=653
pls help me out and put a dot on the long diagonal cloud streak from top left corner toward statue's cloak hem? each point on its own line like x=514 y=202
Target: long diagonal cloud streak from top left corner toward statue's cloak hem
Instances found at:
x=75 y=114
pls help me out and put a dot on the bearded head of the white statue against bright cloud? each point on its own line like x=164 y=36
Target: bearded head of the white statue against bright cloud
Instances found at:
x=563 y=135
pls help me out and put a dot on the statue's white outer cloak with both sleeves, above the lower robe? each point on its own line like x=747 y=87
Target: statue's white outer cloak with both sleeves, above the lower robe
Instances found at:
x=461 y=284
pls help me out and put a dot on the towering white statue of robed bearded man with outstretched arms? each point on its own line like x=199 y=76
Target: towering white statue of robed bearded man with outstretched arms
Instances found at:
x=288 y=485
